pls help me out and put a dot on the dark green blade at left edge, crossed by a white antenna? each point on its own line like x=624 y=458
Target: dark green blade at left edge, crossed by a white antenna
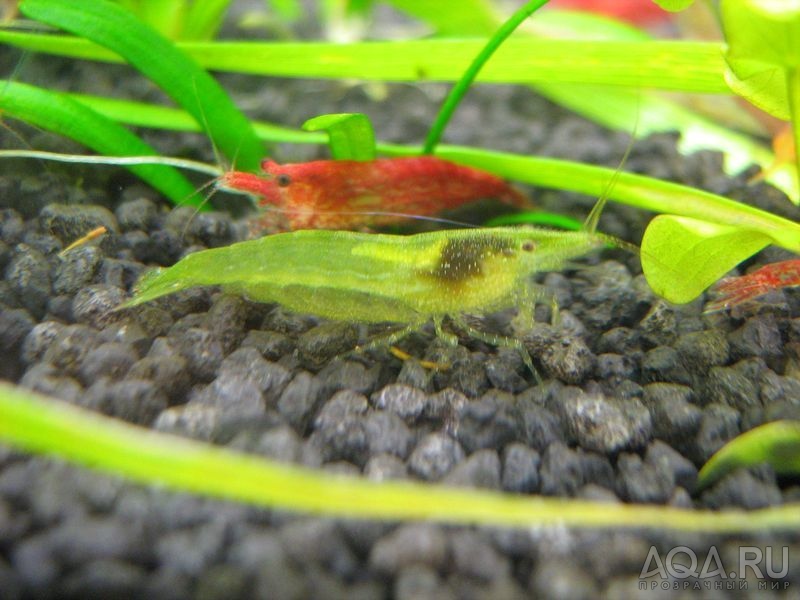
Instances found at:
x=60 y=114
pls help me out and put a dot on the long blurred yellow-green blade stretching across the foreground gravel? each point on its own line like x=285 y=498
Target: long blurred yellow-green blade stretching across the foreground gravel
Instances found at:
x=38 y=424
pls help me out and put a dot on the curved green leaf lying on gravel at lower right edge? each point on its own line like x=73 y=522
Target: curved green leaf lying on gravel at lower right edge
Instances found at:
x=777 y=444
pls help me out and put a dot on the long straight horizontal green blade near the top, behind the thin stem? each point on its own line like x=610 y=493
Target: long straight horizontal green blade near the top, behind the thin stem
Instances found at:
x=681 y=66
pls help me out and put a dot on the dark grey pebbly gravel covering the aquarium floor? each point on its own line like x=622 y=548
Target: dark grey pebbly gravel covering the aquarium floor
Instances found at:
x=638 y=394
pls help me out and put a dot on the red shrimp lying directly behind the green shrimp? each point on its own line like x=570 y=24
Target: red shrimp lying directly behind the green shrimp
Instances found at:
x=347 y=194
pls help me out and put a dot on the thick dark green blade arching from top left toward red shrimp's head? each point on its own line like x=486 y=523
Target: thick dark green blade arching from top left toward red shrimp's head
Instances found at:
x=117 y=29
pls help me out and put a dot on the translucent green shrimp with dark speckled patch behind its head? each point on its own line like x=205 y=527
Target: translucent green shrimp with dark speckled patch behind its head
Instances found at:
x=372 y=278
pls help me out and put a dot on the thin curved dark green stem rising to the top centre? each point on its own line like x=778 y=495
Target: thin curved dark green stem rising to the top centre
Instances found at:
x=457 y=93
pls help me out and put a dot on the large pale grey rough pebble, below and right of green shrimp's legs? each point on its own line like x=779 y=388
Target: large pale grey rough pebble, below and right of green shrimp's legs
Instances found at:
x=606 y=425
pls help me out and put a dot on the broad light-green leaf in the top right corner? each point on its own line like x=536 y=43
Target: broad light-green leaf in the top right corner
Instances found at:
x=763 y=39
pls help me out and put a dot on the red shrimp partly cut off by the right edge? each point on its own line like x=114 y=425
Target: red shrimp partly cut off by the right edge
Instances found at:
x=733 y=291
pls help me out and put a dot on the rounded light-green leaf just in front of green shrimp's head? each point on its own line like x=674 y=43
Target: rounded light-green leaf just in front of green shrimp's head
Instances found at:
x=681 y=257
